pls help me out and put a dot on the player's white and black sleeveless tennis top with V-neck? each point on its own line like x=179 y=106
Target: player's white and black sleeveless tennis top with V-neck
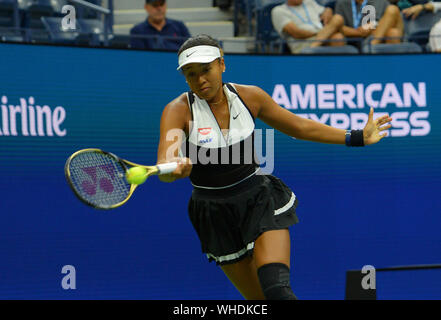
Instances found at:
x=220 y=161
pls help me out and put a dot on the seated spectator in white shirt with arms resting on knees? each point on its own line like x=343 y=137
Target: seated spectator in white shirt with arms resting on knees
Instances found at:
x=307 y=20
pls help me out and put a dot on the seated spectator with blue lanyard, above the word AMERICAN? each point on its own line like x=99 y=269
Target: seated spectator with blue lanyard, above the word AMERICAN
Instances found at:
x=387 y=23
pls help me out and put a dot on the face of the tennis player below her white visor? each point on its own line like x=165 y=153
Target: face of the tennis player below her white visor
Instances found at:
x=205 y=79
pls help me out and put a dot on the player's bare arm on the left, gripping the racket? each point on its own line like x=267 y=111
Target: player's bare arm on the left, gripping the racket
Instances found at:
x=173 y=127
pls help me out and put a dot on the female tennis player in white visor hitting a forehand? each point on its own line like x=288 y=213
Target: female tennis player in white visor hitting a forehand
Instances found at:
x=241 y=217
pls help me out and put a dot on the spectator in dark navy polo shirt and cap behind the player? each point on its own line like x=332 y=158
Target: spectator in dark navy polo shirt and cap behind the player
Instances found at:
x=158 y=32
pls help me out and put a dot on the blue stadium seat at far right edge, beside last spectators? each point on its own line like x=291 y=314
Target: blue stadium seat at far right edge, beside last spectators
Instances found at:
x=418 y=30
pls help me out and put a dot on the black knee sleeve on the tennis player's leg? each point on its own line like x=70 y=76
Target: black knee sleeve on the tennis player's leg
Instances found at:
x=274 y=279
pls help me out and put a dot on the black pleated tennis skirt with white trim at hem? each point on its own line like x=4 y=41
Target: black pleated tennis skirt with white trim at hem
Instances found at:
x=228 y=221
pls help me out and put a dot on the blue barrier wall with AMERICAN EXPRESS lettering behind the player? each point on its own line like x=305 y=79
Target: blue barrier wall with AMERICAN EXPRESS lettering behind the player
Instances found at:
x=377 y=205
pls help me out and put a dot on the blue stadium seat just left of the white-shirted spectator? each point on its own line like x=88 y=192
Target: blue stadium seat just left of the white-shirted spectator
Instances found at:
x=266 y=36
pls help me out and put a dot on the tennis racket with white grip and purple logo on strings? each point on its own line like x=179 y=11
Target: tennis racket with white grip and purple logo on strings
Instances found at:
x=98 y=178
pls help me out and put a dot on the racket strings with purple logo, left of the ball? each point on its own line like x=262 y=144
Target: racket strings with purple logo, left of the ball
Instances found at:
x=98 y=179
